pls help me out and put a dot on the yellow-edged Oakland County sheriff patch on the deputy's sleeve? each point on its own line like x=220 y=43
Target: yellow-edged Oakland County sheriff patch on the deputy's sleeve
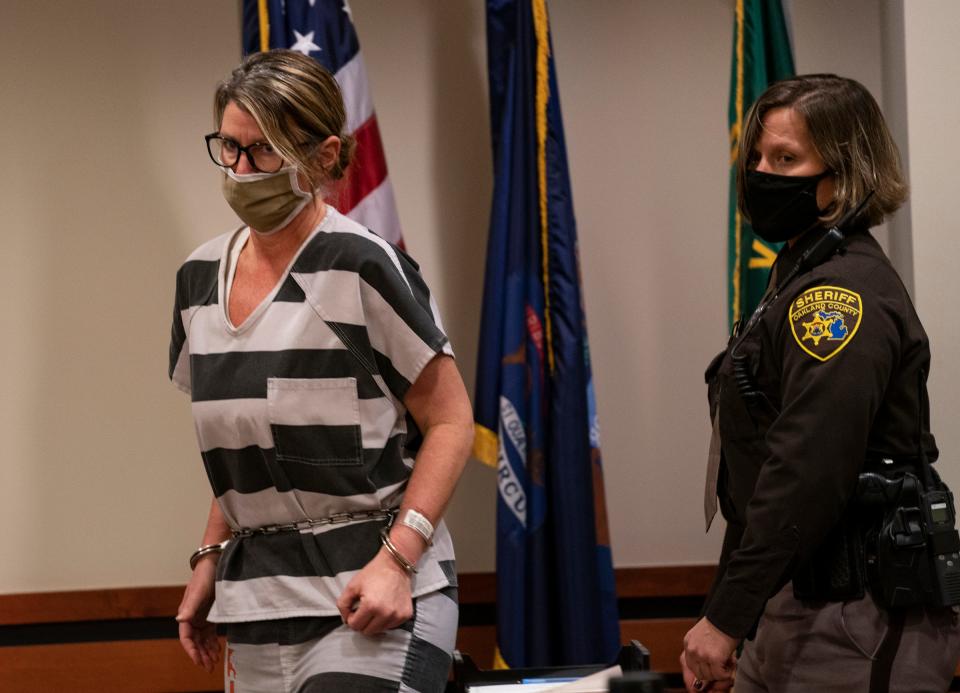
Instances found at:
x=824 y=320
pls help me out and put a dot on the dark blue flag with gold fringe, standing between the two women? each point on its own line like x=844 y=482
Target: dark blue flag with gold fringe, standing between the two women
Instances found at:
x=535 y=410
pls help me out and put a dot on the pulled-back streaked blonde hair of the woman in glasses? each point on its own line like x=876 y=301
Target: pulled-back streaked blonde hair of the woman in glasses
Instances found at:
x=297 y=105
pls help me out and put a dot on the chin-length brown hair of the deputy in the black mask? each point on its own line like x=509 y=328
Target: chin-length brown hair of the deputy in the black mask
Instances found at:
x=849 y=133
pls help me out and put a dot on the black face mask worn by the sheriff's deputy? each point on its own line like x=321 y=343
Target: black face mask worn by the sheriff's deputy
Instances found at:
x=782 y=207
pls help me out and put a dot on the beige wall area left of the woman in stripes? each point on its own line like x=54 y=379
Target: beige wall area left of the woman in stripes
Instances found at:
x=105 y=186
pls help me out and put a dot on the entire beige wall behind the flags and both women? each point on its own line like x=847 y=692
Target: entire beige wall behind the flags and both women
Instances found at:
x=105 y=188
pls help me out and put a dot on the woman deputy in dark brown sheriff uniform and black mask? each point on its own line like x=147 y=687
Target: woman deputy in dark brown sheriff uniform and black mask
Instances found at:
x=827 y=380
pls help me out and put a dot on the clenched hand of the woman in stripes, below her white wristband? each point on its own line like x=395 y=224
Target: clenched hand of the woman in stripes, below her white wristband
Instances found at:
x=378 y=597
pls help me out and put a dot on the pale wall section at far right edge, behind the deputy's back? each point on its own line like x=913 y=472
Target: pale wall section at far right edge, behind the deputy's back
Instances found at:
x=932 y=79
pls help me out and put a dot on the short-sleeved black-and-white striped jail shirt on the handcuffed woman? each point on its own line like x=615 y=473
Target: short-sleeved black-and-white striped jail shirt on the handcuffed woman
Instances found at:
x=299 y=412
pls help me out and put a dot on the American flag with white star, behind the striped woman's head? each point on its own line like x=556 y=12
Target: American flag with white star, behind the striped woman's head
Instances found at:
x=323 y=30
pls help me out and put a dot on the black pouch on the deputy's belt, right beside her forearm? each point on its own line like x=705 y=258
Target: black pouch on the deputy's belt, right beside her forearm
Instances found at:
x=836 y=572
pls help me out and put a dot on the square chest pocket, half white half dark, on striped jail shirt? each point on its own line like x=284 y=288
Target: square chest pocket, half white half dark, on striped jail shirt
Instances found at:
x=315 y=420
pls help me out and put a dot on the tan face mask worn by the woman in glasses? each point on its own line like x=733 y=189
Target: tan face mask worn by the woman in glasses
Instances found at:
x=266 y=202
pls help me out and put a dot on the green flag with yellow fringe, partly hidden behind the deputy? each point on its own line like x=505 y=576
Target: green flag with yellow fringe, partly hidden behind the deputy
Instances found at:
x=761 y=56
